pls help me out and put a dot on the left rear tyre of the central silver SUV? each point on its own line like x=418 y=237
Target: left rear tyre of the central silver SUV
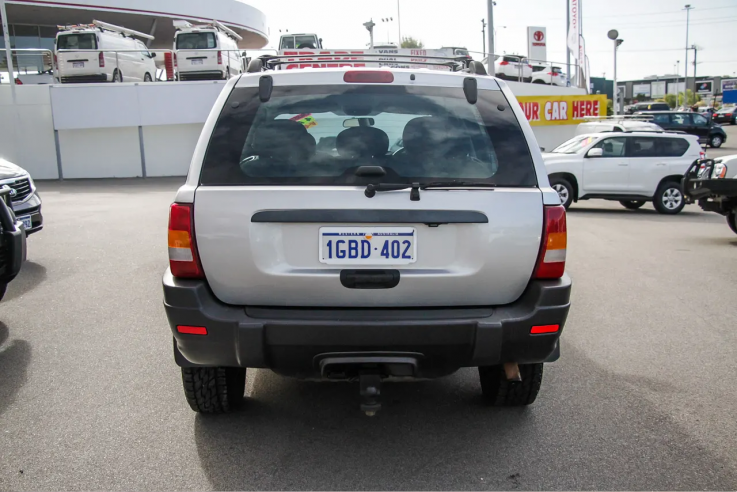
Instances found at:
x=214 y=389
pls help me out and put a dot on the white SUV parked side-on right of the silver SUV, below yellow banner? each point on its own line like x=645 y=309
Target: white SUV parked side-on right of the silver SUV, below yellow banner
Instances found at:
x=630 y=167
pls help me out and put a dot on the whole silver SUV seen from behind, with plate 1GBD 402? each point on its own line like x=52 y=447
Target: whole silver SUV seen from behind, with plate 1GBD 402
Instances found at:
x=300 y=243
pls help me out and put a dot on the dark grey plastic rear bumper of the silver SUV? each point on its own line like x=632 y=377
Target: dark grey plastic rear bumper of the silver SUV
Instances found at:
x=292 y=341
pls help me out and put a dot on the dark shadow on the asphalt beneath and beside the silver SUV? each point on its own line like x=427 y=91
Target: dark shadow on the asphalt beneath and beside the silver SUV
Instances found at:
x=599 y=433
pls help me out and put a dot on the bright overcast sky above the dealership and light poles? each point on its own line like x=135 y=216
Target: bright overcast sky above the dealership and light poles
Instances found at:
x=654 y=31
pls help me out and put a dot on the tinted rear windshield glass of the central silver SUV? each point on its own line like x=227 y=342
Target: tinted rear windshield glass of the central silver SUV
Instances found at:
x=320 y=135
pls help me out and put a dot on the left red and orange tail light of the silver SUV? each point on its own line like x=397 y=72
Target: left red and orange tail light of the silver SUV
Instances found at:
x=183 y=258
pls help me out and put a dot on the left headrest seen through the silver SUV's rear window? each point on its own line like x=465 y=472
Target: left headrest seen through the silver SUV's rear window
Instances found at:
x=283 y=139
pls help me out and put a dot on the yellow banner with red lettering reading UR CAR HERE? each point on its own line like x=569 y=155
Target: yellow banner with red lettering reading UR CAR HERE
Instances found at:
x=561 y=110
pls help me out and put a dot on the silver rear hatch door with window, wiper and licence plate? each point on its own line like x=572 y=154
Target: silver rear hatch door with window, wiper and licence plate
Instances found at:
x=285 y=216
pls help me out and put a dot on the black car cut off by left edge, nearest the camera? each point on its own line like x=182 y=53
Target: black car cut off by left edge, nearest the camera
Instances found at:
x=12 y=241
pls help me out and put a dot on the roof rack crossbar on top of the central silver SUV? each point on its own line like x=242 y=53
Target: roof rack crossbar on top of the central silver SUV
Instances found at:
x=455 y=63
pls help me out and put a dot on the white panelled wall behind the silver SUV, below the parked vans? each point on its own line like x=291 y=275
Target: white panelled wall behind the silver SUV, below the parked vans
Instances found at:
x=98 y=126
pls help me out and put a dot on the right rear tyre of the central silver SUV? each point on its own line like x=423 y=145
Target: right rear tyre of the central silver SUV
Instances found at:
x=499 y=392
